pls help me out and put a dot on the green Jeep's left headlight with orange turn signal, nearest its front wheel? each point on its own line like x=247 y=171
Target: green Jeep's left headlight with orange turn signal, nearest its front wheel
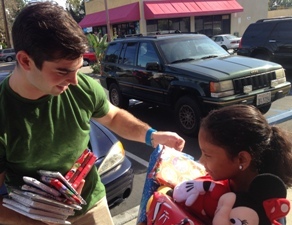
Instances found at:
x=221 y=89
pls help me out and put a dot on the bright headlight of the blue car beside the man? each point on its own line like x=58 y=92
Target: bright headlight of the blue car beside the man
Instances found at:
x=115 y=156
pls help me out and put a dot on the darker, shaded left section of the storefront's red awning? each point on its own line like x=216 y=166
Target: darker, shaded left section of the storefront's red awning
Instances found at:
x=124 y=13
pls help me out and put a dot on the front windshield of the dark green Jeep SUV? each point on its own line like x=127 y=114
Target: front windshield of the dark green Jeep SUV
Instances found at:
x=186 y=49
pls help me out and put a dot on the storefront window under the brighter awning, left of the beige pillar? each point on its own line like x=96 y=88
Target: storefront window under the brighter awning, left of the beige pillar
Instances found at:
x=168 y=25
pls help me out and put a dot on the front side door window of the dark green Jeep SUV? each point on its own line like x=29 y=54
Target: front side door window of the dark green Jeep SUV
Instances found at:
x=146 y=54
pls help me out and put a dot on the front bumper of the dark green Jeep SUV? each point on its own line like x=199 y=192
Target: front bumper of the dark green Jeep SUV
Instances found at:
x=248 y=99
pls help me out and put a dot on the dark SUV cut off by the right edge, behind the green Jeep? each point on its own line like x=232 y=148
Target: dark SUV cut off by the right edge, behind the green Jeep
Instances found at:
x=269 y=39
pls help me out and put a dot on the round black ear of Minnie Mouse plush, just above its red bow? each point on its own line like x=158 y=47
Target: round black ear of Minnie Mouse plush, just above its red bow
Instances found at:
x=266 y=186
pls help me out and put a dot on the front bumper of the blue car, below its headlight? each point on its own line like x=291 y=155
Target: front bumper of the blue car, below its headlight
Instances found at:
x=118 y=183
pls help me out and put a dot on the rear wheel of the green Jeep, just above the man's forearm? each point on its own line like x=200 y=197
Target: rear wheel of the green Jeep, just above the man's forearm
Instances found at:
x=116 y=97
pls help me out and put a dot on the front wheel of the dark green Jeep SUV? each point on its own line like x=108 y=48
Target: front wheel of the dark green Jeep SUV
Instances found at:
x=188 y=115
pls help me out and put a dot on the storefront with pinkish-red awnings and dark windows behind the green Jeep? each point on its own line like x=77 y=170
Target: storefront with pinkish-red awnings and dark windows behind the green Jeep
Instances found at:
x=209 y=17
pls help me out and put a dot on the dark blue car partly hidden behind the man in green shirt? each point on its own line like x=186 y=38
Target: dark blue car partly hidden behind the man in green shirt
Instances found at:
x=113 y=165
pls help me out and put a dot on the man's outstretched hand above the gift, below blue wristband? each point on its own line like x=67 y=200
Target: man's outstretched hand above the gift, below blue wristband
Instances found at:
x=170 y=139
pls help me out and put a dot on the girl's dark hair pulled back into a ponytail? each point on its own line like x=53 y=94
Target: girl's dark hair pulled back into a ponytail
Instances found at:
x=242 y=127
